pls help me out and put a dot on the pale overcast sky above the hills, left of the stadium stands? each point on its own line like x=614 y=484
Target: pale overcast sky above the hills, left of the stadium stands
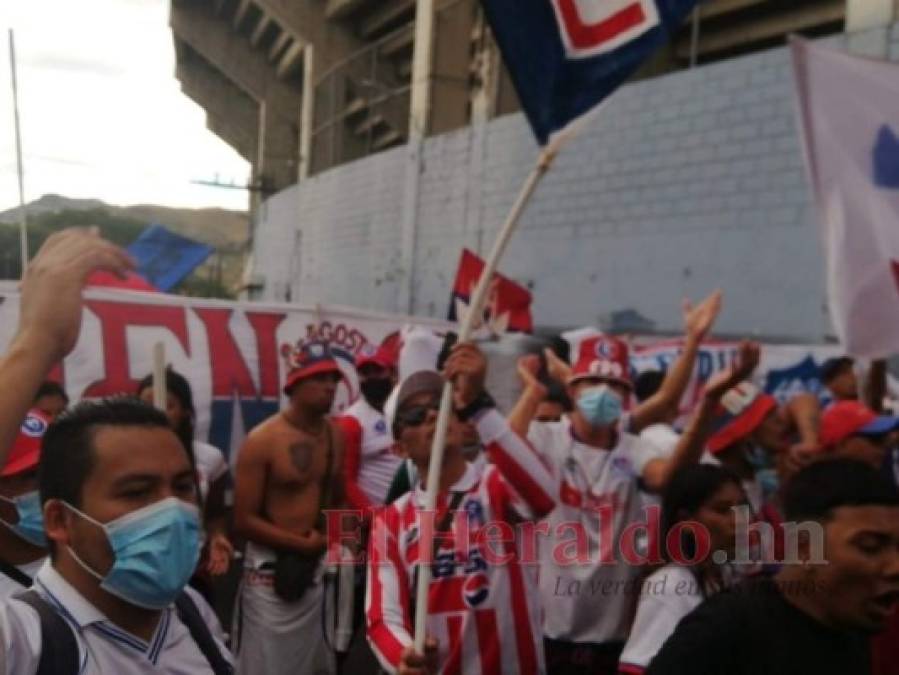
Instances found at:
x=102 y=113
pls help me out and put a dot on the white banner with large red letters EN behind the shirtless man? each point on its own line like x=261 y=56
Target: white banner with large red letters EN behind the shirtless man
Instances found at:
x=231 y=352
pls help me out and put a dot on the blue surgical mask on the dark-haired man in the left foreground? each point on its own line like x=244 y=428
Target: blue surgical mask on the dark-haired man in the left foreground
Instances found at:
x=156 y=551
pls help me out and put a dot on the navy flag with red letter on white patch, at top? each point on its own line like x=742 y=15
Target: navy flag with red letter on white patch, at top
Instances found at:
x=566 y=56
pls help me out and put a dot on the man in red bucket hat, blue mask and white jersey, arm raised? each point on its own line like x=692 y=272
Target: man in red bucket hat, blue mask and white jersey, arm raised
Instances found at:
x=588 y=583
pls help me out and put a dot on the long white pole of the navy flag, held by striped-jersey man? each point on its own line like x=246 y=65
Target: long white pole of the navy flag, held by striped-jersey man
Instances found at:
x=471 y=320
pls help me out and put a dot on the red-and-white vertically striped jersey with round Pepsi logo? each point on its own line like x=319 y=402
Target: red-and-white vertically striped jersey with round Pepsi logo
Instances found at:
x=483 y=605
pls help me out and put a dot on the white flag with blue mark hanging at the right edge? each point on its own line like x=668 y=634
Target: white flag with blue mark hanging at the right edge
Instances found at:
x=849 y=114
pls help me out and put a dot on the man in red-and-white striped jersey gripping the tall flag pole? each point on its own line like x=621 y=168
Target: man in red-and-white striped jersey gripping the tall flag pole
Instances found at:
x=483 y=609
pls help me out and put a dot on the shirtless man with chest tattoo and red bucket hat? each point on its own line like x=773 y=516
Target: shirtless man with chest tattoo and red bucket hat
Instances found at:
x=287 y=473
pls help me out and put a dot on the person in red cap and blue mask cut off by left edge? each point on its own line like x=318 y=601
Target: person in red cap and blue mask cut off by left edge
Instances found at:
x=23 y=546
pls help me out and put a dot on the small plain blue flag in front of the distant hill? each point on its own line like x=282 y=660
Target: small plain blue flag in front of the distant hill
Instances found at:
x=164 y=258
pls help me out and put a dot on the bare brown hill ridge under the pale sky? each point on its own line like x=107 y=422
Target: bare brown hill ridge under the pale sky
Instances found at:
x=218 y=227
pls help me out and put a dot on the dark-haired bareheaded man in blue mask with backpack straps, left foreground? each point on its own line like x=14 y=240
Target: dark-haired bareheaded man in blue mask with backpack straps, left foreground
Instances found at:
x=124 y=532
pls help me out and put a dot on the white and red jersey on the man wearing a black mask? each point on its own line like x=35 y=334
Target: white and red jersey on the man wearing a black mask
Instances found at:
x=368 y=461
